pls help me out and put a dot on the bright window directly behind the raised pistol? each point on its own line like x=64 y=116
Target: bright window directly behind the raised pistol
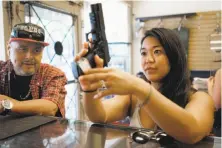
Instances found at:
x=117 y=27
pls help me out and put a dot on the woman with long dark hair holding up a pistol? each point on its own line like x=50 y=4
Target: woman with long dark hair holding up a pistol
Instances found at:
x=166 y=102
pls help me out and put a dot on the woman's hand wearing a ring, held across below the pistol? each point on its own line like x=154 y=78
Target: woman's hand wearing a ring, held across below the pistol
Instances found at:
x=116 y=81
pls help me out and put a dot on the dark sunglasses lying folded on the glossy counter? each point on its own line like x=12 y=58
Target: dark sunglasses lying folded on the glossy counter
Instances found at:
x=144 y=136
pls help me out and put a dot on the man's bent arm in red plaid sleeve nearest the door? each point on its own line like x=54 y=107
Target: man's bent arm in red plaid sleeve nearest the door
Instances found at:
x=51 y=100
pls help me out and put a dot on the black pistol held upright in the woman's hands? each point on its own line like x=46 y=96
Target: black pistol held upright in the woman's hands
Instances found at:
x=99 y=43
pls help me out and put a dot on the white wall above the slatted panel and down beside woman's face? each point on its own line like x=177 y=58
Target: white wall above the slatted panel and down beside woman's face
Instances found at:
x=158 y=8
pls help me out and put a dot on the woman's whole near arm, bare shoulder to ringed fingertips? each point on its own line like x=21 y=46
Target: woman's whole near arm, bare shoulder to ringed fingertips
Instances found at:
x=188 y=125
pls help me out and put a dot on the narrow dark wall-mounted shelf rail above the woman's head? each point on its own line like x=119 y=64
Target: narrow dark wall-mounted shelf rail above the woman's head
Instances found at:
x=143 y=19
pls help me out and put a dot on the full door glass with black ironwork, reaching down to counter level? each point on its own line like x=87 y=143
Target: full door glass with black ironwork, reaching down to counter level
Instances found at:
x=59 y=27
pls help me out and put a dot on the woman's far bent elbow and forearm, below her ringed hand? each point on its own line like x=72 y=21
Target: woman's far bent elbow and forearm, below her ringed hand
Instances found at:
x=105 y=111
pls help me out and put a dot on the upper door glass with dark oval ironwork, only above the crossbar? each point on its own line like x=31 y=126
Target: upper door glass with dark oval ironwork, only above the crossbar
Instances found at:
x=58 y=27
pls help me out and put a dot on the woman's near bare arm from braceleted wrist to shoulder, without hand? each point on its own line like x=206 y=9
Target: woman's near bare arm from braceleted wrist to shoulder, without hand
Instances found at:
x=188 y=125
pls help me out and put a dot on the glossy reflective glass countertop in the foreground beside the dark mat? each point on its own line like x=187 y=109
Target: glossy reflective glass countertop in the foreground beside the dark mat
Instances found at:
x=63 y=133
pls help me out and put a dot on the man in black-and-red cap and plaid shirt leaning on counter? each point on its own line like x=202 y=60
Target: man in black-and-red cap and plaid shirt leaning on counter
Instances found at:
x=28 y=86
